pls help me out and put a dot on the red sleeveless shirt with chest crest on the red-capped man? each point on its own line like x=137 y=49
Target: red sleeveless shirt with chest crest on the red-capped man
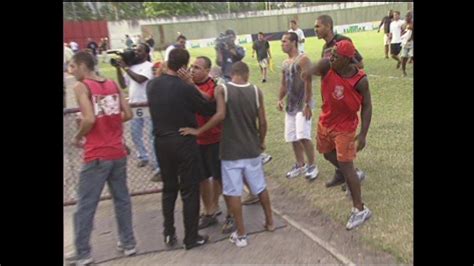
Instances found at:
x=341 y=101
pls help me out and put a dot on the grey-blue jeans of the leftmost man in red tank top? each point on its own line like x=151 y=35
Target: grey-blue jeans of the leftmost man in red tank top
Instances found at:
x=92 y=179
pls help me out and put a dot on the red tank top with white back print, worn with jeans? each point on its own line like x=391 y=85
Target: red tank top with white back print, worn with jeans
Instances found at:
x=104 y=141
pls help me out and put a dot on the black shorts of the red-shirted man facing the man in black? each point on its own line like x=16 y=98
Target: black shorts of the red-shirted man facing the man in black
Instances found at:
x=210 y=161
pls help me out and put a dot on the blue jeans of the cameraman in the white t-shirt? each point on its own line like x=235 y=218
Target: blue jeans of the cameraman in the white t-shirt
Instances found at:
x=136 y=128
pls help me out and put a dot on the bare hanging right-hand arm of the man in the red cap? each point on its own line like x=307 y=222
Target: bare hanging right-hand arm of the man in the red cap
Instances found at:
x=366 y=112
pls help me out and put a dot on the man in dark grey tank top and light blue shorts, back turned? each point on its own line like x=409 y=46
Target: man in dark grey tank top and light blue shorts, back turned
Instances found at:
x=240 y=108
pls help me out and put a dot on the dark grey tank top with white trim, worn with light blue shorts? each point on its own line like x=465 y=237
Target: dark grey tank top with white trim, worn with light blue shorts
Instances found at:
x=240 y=135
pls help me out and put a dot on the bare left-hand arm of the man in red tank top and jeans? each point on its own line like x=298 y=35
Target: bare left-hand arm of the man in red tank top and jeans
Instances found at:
x=88 y=118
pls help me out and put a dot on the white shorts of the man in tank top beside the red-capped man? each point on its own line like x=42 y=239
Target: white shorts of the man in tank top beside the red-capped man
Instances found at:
x=297 y=127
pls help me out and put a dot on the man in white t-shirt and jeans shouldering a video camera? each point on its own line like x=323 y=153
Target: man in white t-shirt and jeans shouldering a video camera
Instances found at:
x=137 y=76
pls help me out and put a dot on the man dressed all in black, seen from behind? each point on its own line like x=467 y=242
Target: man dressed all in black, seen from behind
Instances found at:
x=173 y=105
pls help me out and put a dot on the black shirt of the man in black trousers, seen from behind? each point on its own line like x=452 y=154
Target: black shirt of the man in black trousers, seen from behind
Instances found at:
x=173 y=104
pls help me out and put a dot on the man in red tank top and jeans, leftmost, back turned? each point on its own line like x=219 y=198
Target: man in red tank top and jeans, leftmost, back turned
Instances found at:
x=103 y=110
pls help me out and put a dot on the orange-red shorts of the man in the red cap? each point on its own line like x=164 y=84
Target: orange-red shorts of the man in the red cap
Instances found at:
x=342 y=142
